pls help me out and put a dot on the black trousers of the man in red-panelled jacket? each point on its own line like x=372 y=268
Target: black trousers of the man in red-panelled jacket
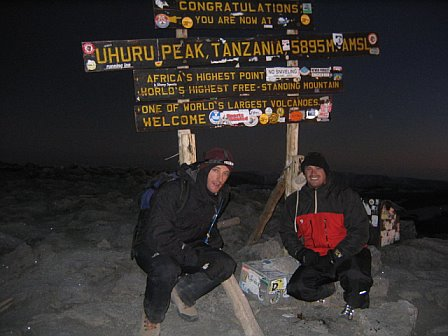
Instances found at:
x=308 y=283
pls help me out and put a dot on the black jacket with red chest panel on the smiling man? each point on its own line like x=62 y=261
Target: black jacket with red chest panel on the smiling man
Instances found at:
x=323 y=208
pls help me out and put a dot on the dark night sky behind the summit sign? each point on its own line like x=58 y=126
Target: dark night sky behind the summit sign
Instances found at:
x=391 y=118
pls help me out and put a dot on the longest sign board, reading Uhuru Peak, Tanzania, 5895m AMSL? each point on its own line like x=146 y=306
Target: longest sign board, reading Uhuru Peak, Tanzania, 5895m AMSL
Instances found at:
x=273 y=50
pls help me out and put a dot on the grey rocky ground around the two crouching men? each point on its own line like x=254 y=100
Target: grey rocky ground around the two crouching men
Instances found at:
x=65 y=267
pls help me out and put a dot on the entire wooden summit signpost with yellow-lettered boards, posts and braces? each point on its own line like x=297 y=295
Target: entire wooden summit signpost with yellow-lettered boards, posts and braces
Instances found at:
x=210 y=82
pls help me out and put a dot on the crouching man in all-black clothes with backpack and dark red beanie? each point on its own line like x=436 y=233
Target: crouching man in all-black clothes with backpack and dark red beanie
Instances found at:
x=181 y=250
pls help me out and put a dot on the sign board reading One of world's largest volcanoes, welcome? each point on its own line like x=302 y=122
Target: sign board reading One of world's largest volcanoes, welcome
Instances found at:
x=248 y=112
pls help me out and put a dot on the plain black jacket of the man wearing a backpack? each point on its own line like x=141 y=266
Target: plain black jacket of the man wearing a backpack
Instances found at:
x=168 y=231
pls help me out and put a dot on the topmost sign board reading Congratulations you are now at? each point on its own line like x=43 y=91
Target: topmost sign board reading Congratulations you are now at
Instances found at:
x=230 y=14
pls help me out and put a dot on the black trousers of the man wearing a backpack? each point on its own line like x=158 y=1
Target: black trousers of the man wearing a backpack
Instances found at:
x=164 y=272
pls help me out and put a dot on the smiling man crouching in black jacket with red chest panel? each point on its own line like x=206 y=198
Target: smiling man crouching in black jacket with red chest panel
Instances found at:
x=327 y=229
